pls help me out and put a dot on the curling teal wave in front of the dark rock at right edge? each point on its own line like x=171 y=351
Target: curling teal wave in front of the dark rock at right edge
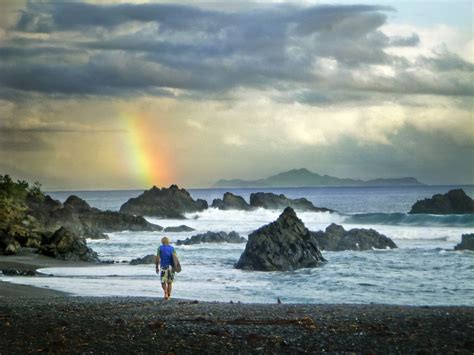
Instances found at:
x=403 y=219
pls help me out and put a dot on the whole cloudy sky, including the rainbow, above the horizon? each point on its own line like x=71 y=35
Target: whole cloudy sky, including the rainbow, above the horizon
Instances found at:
x=117 y=95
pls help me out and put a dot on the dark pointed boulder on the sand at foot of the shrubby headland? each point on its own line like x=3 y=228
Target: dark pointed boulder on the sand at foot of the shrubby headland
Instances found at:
x=66 y=245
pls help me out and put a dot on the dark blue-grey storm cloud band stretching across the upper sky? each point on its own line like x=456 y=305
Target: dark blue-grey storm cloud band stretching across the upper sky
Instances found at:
x=168 y=47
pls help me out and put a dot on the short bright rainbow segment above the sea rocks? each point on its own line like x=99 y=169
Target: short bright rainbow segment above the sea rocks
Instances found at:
x=146 y=160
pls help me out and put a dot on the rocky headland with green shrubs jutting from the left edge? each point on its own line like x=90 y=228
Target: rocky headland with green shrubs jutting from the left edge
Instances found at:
x=30 y=219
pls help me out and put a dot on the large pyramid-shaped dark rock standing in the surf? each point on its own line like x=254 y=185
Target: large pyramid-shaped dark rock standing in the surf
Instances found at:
x=285 y=244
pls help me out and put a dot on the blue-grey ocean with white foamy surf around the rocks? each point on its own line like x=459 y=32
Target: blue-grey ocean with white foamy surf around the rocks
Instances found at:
x=424 y=270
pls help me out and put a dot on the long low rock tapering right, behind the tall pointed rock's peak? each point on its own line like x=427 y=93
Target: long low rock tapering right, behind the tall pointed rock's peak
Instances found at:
x=270 y=200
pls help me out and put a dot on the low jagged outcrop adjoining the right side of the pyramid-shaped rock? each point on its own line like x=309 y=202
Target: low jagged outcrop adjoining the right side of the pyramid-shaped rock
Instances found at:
x=336 y=238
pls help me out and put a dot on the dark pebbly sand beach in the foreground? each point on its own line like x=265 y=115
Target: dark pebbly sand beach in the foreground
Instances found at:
x=38 y=320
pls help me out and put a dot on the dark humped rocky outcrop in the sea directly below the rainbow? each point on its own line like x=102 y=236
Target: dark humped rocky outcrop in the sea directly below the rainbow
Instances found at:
x=165 y=203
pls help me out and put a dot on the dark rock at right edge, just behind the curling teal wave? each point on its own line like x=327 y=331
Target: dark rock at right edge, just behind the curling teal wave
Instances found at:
x=453 y=202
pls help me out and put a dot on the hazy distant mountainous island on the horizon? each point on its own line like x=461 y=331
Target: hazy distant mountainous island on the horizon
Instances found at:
x=306 y=178
